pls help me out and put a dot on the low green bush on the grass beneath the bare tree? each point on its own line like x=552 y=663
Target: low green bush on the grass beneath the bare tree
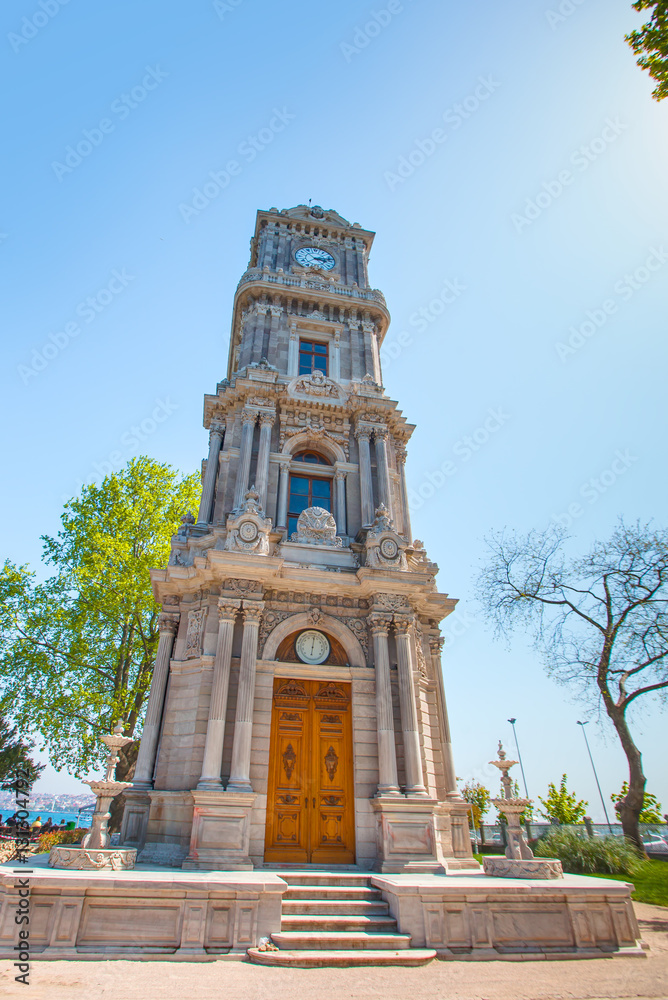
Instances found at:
x=584 y=855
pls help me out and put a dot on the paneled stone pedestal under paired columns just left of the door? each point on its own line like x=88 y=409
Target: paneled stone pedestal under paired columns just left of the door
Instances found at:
x=221 y=831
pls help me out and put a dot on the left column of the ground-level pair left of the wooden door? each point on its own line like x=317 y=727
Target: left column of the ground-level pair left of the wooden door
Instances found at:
x=215 y=730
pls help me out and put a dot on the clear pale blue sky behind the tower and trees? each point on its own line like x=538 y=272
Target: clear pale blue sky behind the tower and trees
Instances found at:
x=170 y=92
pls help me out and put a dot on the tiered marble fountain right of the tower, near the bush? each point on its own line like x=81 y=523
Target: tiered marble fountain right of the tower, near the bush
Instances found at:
x=519 y=861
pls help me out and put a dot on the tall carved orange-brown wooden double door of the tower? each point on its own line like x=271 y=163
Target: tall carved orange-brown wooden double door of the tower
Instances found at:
x=310 y=801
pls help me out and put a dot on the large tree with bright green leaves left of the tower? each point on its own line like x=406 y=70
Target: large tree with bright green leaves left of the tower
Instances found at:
x=78 y=648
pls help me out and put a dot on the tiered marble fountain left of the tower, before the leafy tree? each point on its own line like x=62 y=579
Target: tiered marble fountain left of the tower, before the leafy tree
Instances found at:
x=95 y=851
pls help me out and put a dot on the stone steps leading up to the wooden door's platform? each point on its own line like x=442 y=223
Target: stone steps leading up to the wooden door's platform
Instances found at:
x=336 y=920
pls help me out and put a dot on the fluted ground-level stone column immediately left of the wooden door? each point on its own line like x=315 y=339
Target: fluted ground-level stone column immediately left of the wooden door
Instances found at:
x=243 y=722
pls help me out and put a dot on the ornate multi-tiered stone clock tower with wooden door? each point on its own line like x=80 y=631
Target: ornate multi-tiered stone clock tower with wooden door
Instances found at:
x=297 y=713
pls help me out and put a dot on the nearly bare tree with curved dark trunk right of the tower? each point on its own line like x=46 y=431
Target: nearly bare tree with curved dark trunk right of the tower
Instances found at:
x=600 y=622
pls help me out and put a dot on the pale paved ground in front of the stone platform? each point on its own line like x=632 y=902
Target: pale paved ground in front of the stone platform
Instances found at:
x=593 y=979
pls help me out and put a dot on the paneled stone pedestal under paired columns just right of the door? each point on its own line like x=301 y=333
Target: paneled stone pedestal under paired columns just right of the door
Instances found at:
x=407 y=835
